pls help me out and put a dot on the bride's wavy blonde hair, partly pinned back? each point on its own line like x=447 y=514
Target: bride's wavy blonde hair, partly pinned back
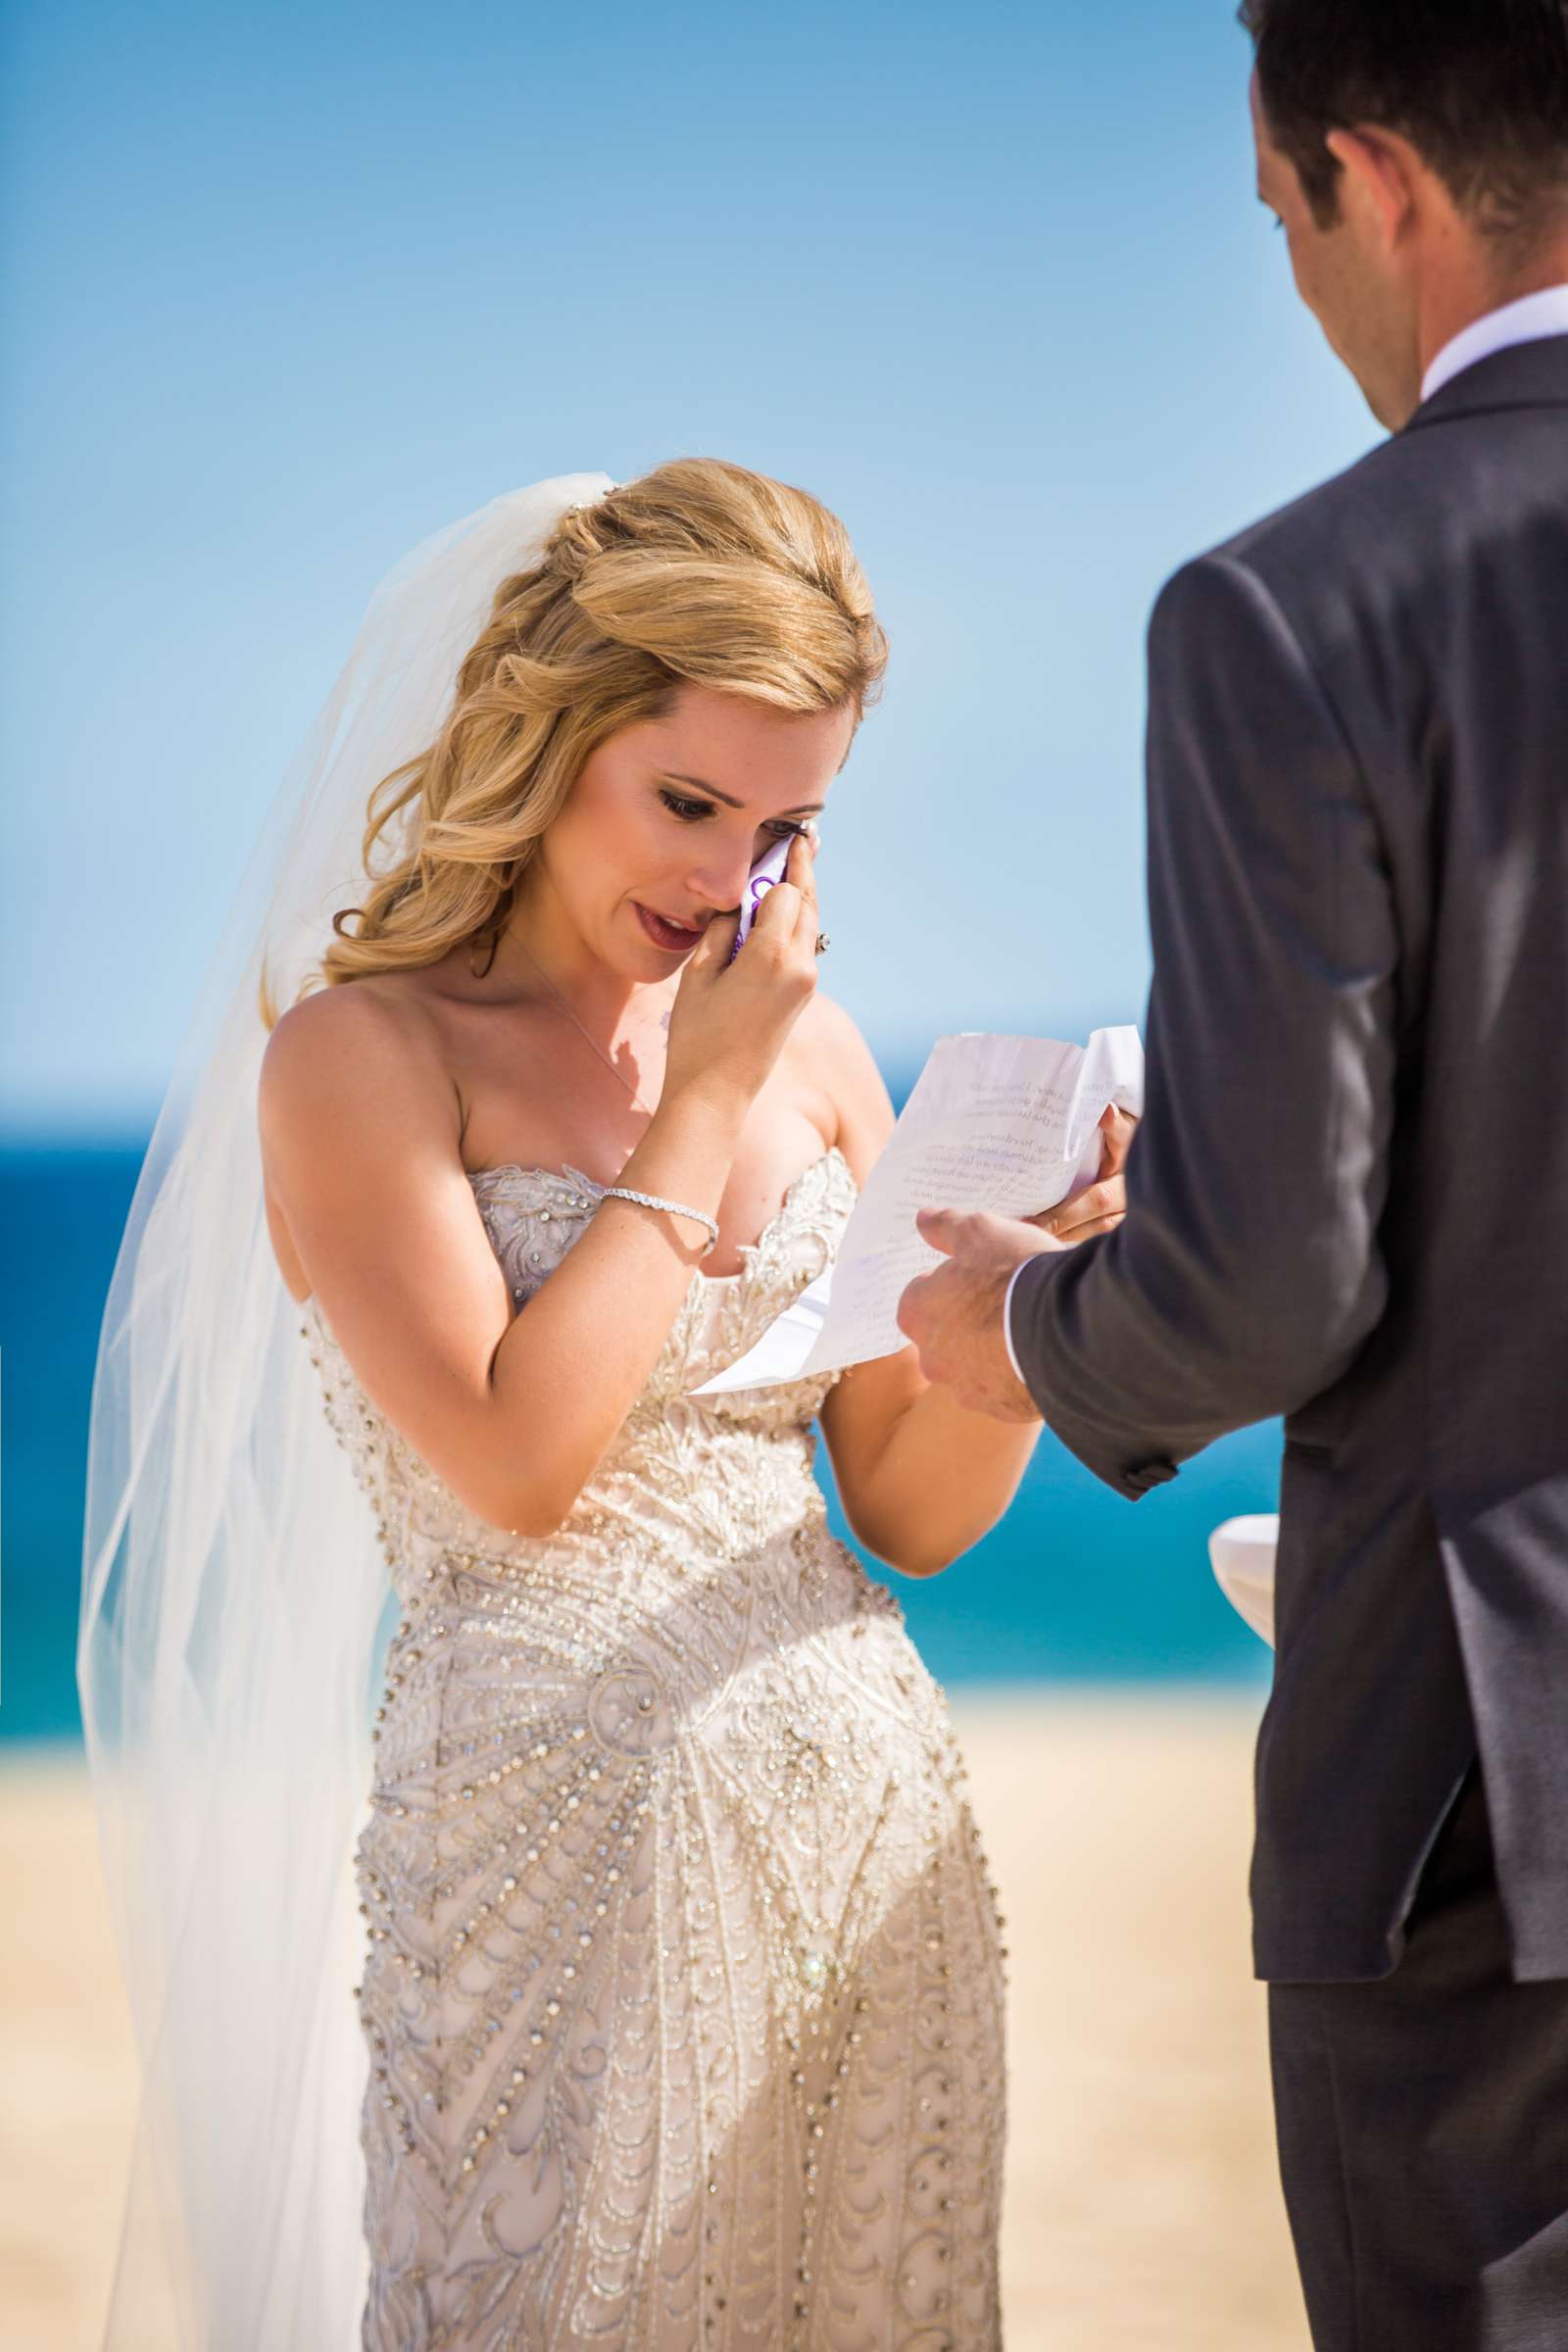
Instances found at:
x=695 y=575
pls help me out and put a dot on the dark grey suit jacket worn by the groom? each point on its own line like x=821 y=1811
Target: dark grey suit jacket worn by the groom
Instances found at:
x=1348 y=1201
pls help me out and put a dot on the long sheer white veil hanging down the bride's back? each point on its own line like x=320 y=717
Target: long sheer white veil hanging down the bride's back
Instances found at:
x=234 y=1579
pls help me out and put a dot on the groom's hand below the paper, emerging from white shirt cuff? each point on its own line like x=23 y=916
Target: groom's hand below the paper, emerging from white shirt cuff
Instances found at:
x=956 y=1311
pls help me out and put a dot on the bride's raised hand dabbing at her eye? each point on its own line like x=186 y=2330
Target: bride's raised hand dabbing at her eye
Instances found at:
x=730 y=1022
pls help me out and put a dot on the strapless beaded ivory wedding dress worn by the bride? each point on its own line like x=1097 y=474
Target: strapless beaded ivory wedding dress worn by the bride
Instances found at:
x=685 y=1977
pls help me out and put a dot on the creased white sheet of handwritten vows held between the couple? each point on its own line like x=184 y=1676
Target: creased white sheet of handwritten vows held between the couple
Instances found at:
x=996 y=1123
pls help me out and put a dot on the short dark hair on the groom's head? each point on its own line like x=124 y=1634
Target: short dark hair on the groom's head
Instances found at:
x=1477 y=86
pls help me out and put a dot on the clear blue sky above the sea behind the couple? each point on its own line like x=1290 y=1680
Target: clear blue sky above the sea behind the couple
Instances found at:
x=290 y=288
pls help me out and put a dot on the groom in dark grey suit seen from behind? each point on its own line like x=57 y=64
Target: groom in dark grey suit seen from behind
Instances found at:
x=1348 y=1201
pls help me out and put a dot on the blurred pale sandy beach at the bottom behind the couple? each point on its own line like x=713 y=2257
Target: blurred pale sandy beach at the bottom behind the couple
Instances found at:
x=1141 y=2191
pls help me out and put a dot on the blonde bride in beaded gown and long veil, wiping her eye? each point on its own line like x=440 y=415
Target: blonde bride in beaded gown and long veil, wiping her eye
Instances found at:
x=681 y=1972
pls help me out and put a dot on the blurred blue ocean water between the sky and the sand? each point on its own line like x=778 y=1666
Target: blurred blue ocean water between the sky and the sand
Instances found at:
x=1073 y=1586
